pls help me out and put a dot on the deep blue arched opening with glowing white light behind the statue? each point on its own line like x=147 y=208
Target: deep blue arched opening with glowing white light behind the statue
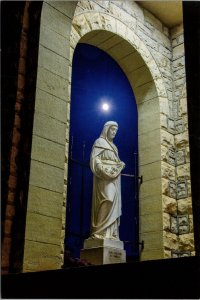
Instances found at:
x=96 y=80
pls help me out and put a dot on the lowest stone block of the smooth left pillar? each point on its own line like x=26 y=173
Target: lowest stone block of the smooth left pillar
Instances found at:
x=41 y=256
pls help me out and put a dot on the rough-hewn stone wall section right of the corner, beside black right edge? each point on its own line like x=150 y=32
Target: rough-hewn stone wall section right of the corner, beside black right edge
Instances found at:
x=178 y=220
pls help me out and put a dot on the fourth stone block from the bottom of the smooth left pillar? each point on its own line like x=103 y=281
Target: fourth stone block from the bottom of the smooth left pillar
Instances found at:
x=46 y=176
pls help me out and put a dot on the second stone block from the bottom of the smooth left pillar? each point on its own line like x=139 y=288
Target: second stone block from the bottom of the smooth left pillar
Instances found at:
x=43 y=229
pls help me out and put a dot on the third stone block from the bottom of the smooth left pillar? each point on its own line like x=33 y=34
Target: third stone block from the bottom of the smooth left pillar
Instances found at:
x=44 y=202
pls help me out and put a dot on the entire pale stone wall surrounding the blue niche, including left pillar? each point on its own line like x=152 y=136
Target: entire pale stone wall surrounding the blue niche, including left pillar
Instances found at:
x=164 y=202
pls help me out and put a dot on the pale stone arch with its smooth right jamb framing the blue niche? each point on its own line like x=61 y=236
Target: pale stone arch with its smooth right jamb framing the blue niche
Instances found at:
x=115 y=38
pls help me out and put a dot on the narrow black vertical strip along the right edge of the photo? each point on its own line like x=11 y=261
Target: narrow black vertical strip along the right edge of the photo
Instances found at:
x=191 y=17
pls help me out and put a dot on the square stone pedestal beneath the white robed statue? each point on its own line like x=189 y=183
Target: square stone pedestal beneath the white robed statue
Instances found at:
x=100 y=252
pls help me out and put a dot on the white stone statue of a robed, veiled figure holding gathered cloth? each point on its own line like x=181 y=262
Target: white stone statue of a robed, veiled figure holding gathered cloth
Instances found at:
x=106 y=200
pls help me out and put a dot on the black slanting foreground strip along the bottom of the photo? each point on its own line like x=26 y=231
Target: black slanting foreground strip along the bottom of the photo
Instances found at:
x=163 y=279
